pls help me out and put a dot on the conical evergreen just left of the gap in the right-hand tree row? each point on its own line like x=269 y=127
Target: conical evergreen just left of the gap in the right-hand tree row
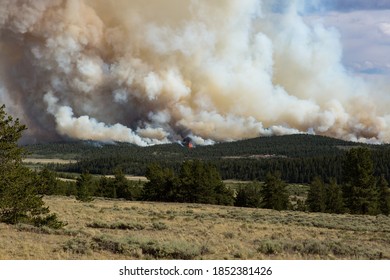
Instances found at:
x=274 y=193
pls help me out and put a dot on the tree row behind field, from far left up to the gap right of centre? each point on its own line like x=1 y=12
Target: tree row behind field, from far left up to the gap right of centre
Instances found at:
x=197 y=182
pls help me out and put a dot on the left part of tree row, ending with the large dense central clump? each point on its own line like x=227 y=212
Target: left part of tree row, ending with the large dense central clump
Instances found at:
x=197 y=182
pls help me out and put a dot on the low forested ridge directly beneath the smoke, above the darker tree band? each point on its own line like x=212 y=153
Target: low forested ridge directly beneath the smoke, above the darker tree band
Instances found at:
x=300 y=145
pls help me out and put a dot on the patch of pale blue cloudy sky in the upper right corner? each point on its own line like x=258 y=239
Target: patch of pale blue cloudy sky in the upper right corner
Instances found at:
x=364 y=27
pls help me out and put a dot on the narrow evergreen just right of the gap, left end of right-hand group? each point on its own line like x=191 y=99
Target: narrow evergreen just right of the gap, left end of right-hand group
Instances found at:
x=316 y=198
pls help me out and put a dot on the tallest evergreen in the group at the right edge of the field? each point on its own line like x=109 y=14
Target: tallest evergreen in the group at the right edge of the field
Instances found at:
x=359 y=190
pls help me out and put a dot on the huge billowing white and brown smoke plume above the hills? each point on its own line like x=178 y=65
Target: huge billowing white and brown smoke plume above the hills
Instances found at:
x=150 y=72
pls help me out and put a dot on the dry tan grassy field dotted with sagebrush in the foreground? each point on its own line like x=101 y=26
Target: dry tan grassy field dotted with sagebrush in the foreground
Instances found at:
x=114 y=229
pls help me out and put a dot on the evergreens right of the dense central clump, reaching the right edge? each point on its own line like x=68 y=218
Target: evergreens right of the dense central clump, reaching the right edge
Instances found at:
x=360 y=190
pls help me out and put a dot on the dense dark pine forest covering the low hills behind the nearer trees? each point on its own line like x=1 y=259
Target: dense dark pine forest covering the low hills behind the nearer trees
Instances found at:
x=299 y=158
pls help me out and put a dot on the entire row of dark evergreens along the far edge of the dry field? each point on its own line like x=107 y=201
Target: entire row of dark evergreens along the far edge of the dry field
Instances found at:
x=359 y=192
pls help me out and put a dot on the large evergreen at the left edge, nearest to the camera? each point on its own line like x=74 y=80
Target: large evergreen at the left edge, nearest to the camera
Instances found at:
x=20 y=189
